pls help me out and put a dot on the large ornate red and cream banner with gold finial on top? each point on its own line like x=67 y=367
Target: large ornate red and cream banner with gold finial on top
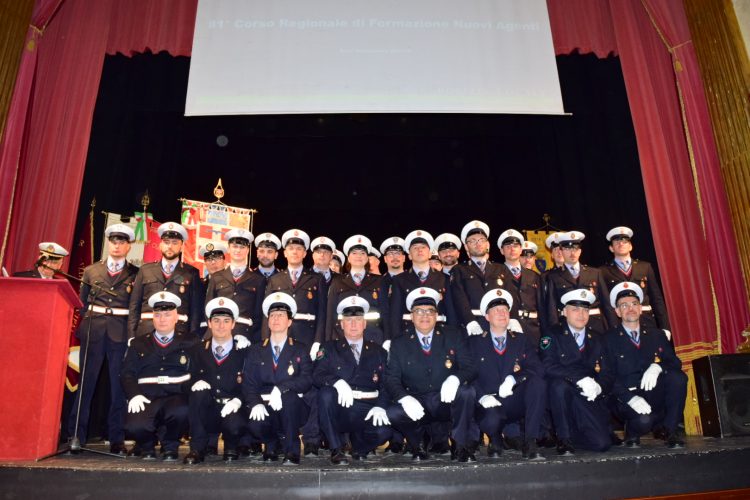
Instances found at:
x=209 y=222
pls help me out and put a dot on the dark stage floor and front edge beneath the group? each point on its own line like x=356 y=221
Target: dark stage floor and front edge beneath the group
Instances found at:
x=705 y=464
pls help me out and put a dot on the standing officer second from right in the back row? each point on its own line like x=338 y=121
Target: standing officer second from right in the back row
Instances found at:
x=573 y=275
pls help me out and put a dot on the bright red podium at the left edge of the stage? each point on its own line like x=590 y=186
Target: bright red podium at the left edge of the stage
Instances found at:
x=35 y=320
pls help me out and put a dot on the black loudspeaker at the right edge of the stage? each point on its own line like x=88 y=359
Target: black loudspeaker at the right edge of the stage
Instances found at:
x=723 y=386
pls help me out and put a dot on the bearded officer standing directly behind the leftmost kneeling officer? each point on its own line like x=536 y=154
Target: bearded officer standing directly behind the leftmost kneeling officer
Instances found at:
x=172 y=275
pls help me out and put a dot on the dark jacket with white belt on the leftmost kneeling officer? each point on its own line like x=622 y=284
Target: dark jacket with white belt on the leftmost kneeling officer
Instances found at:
x=144 y=358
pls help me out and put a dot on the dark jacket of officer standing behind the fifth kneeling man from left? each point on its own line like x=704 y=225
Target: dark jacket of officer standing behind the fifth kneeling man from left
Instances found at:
x=407 y=281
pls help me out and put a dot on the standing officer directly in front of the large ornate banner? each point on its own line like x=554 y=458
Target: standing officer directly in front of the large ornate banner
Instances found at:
x=239 y=283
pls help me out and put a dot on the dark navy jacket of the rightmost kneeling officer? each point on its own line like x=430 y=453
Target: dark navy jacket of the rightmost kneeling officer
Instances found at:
x=629 y=361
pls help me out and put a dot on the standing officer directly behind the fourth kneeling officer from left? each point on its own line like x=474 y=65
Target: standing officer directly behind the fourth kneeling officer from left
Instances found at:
x=359 y=281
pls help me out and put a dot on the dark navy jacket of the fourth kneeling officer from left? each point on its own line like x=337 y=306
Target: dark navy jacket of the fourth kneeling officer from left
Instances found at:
x=335 y=361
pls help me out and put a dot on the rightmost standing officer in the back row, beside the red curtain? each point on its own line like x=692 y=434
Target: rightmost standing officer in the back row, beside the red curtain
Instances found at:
x=623 y=268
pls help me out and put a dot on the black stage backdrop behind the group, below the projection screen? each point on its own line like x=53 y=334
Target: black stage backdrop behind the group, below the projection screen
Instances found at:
x=376 y=174
